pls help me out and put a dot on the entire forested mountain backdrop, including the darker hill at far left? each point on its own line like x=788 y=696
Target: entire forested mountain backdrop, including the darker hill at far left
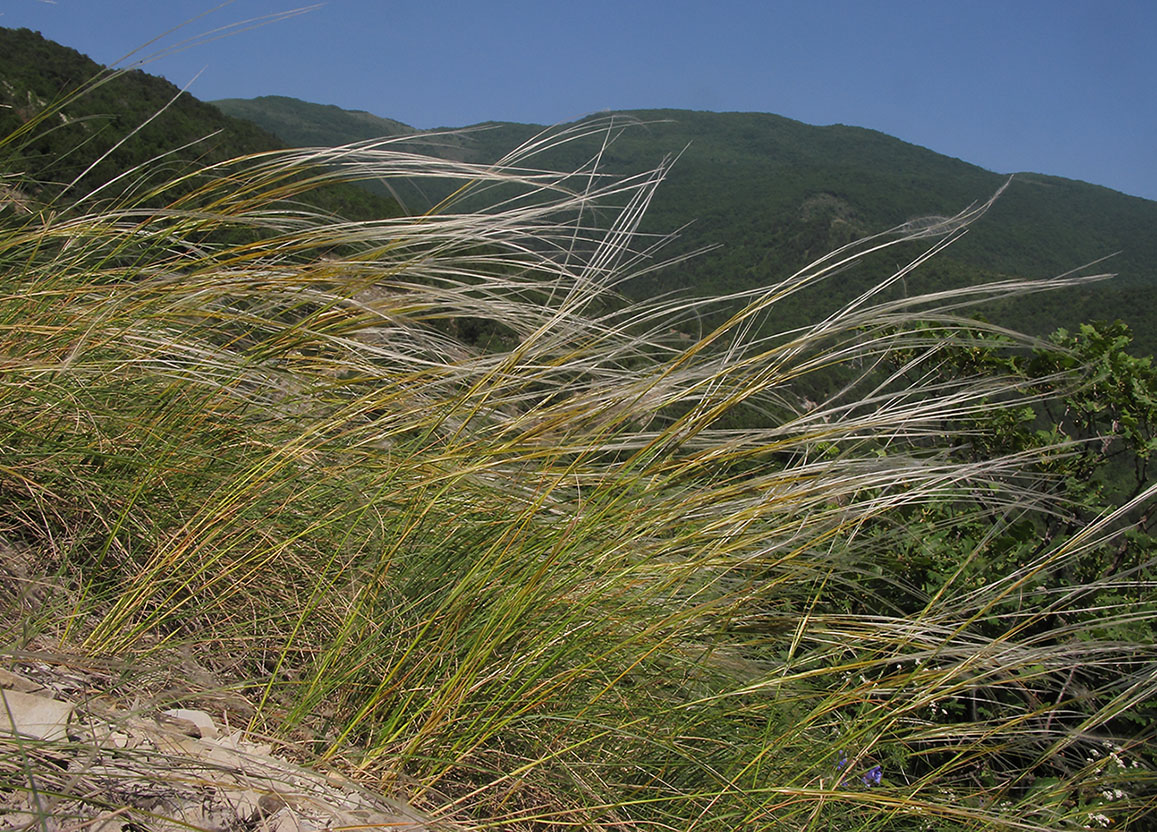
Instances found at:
x=771 y=194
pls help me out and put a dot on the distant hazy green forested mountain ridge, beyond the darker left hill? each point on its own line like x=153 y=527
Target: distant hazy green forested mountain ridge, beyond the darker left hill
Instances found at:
x=773 y=194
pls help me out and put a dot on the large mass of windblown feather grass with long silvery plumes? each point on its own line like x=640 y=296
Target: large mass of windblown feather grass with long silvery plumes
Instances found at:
x=537 y=578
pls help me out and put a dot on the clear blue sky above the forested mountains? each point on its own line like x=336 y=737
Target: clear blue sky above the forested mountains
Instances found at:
x=1064 y=87
